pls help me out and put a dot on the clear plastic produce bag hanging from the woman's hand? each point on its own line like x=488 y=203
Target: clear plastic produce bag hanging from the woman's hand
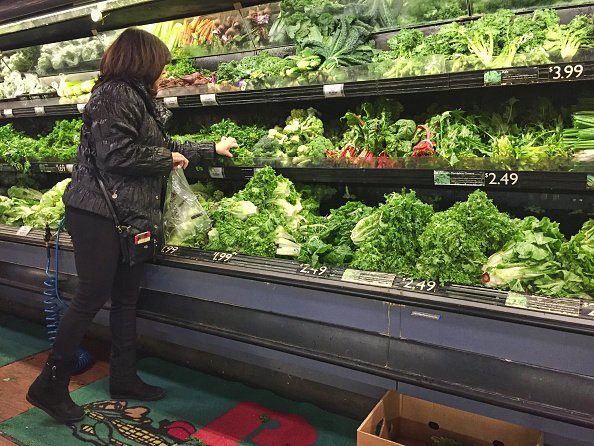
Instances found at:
x=184 y=219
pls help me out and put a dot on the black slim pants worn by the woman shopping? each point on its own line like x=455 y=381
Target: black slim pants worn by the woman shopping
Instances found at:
x=101 y=276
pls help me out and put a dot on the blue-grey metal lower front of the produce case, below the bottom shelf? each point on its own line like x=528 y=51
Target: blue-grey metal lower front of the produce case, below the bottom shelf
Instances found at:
x=411 y=336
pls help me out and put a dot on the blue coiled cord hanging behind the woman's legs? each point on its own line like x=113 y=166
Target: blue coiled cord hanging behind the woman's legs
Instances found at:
x=54 y=306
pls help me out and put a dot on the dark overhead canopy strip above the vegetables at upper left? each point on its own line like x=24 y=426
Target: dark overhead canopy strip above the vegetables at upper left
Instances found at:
x=71 y=26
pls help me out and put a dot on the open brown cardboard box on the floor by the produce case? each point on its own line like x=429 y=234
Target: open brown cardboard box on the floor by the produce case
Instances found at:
x=400 y=420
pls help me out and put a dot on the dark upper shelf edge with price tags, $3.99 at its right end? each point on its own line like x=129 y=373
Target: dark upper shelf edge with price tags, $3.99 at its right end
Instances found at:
x=542 y=74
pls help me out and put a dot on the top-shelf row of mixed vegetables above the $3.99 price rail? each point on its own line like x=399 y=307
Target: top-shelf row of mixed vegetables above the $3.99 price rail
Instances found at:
x=328 y=48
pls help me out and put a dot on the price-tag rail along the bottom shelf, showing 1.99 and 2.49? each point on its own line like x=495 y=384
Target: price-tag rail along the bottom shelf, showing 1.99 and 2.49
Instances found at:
x=565 y=314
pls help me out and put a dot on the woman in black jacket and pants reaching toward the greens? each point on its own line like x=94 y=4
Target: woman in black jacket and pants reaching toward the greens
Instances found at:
x=123 y=143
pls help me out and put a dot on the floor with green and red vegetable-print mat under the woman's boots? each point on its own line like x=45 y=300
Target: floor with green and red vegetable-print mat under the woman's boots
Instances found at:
x=200 y=409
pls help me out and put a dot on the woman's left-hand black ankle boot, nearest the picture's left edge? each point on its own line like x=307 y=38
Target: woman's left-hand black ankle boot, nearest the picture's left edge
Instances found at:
x=49 y=392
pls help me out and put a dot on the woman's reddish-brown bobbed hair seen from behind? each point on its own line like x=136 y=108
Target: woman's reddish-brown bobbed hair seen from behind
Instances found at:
x=135 y=55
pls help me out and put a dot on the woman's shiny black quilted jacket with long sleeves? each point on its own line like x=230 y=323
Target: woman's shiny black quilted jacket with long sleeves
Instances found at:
x=122 y=137
